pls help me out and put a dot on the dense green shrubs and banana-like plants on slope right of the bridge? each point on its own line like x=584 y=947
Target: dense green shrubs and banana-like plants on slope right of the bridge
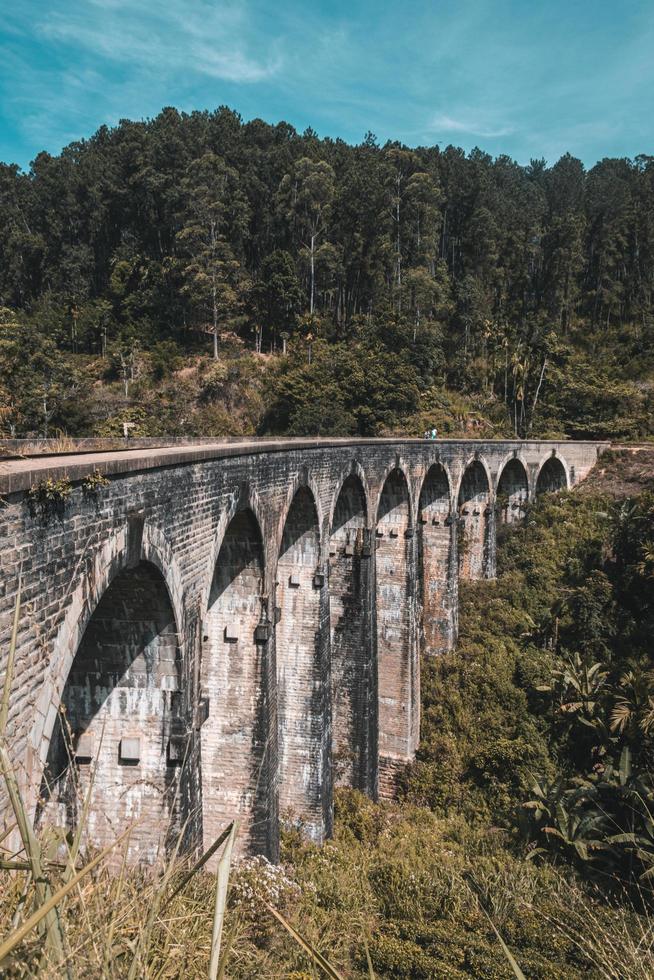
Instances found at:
x=546 y=708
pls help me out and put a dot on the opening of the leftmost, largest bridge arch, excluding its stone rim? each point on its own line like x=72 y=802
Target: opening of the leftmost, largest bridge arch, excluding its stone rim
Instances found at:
x=118 y=735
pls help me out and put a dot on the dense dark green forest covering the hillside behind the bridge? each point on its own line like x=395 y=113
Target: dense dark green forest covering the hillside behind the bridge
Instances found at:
x=196 y=274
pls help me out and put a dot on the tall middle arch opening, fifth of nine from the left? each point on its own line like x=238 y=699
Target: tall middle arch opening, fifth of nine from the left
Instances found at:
x=397 y=675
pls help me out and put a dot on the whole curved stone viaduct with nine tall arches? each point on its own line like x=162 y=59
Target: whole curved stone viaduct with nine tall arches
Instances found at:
x=227 y=630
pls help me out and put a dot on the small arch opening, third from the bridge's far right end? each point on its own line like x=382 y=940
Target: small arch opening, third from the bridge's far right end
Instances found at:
x=473 y=506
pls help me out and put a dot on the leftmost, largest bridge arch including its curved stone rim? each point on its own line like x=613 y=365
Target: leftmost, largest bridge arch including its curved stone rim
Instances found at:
x=117 y=675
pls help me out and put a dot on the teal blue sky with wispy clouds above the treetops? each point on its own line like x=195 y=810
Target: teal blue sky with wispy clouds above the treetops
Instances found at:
x=525 y=78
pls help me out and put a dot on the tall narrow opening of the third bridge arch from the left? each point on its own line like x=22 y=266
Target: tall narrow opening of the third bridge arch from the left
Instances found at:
x=302 y=709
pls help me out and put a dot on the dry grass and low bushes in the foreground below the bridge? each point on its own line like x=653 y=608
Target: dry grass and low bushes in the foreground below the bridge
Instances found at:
x=417 y=891
